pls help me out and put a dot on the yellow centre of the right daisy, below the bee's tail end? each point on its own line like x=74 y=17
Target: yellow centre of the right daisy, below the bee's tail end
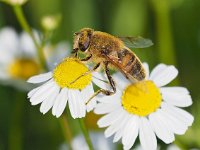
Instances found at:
x=141 y=98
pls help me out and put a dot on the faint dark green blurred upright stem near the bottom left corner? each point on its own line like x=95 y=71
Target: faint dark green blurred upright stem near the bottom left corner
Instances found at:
x=15 y=132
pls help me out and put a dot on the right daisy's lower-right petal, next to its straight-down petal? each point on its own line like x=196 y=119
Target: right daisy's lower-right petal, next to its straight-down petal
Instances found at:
x=160 y=128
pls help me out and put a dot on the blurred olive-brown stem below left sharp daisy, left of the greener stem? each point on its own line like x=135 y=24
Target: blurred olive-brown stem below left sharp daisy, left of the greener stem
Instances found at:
x=66 y=130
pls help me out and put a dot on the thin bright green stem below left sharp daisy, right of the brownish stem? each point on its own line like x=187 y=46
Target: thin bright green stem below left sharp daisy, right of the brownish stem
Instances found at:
x=85 y=133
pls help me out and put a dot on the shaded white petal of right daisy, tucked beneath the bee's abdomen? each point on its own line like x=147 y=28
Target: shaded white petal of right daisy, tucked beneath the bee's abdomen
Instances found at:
x=122 y=82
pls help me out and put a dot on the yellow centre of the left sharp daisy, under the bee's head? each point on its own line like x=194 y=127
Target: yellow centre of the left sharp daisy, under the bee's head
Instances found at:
x=71 y=74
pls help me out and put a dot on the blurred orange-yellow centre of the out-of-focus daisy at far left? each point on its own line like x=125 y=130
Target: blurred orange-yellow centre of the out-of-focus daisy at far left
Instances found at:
x=23 y=68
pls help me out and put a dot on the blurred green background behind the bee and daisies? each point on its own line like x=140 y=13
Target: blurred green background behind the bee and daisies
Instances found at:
x=173 y=26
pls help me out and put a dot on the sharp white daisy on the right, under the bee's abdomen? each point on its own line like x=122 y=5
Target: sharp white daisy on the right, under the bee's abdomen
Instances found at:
x=146 y=109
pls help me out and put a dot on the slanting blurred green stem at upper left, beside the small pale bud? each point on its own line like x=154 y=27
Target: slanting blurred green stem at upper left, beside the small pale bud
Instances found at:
x=24 y=24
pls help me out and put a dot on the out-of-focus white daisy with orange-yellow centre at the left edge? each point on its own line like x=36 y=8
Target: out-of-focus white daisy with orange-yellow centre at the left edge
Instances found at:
x=18 y=60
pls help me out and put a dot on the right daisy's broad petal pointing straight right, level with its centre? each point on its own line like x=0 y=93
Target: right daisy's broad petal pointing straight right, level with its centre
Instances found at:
x=176 y=99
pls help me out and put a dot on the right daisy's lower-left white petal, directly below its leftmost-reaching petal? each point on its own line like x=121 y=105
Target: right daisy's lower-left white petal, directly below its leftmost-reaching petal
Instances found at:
x=109 y=118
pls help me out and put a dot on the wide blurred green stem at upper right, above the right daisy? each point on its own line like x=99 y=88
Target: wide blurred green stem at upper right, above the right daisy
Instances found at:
x=164 y=34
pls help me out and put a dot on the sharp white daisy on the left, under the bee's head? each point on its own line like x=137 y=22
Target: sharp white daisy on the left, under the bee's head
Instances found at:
x=58 y=88
